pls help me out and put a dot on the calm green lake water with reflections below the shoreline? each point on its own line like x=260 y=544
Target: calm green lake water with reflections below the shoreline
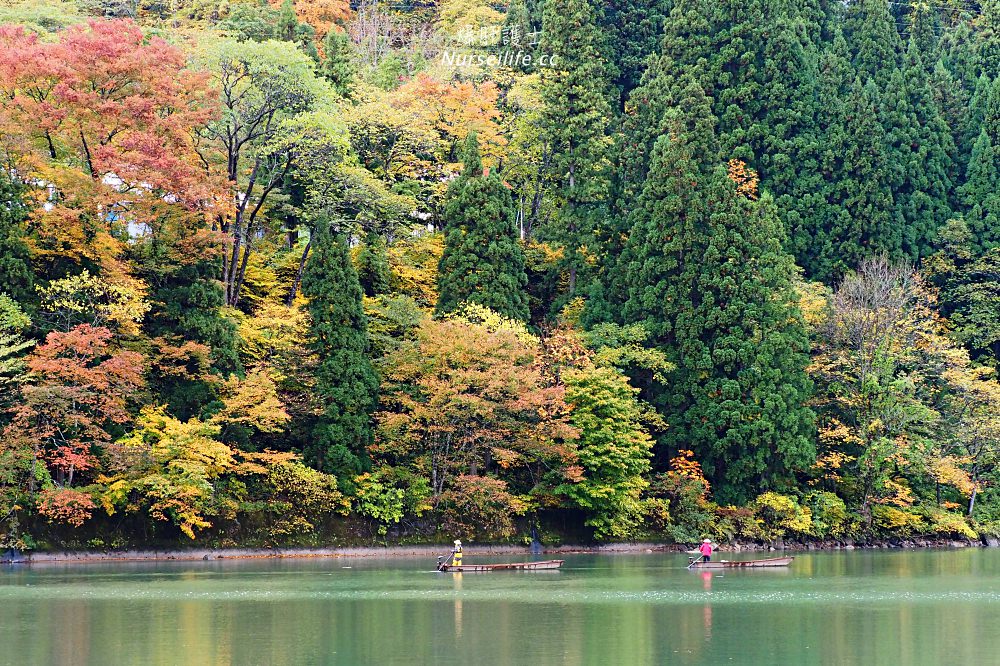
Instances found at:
x=857 y=607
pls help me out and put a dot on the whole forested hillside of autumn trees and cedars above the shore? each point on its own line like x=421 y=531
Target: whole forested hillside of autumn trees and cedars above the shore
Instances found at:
x=324 y=272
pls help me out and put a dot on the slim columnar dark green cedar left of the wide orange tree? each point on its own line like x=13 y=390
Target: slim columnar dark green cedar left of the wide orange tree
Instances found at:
x=346 y=383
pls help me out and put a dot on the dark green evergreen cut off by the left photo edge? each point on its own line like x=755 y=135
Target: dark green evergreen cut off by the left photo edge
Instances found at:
x=16 y=277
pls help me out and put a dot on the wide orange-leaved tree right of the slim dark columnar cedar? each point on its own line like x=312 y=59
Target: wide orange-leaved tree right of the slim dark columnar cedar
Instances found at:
x=464 y=399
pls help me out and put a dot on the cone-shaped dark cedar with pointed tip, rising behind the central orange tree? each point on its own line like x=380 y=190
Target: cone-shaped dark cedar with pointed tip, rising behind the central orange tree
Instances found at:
x=482 y=261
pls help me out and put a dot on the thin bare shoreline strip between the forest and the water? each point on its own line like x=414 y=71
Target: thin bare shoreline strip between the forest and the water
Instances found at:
x=432 y=551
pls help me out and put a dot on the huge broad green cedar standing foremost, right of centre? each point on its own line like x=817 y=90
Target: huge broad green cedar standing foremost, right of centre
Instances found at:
x=710 y=279
